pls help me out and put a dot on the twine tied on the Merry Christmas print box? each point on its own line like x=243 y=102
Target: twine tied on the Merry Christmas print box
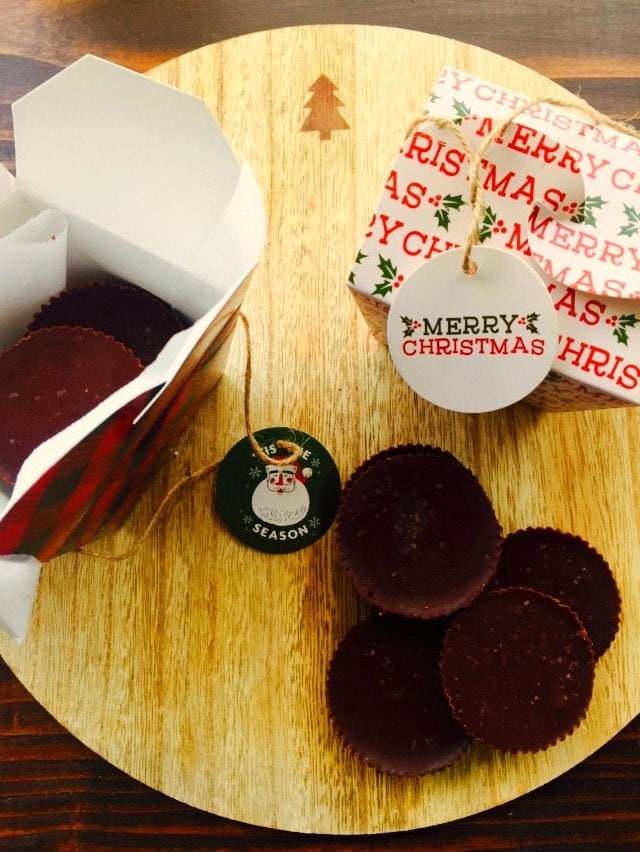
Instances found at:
x=476 y=190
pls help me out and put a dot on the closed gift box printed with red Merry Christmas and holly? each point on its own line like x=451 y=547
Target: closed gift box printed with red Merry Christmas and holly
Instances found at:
x=560 y=190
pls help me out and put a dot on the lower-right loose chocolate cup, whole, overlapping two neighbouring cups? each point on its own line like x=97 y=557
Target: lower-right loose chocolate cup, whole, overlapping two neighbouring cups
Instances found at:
x=517 y=668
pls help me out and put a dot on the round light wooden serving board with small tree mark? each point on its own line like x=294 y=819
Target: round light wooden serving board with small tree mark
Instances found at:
x=198 y=666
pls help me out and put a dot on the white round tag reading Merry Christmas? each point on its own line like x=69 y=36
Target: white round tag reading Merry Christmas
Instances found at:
x=473 y=343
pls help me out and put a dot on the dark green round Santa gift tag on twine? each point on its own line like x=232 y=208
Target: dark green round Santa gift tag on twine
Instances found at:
x=277 y=508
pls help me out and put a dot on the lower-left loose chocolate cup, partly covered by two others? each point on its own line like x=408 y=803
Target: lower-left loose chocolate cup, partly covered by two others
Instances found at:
x=385 y=697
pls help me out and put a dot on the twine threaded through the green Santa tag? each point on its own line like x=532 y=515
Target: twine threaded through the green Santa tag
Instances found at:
x=292 y=448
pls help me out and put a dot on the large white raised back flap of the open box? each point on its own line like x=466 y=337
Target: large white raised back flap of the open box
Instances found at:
x=136 y=158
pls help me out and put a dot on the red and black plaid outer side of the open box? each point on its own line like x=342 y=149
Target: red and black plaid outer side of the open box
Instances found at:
x=97 y=483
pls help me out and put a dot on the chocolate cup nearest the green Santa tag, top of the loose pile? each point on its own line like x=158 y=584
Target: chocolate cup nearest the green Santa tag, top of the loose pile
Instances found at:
x=416 y=532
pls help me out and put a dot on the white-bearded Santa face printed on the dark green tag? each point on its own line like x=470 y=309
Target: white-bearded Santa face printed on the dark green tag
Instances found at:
x=282 y=498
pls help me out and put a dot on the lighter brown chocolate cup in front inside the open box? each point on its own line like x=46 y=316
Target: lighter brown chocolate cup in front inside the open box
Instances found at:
x=51 y=378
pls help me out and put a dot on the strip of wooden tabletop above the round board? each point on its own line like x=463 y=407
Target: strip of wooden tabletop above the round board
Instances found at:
x=585 y=45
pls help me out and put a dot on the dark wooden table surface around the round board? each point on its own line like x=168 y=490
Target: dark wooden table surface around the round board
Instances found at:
x=54 y=792
